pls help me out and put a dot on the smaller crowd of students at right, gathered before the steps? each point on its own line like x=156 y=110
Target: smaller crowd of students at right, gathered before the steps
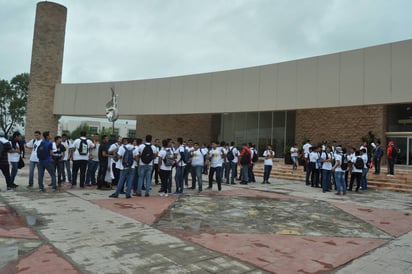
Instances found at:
x=333 y=166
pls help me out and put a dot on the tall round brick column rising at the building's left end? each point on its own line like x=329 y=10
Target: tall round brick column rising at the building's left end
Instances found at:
x=46 y=67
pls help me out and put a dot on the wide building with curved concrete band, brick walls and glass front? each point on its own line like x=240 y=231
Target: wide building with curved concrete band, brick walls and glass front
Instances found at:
x=342 y=96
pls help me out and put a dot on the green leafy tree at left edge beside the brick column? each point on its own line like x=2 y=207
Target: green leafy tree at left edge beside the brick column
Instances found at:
x=13 y=101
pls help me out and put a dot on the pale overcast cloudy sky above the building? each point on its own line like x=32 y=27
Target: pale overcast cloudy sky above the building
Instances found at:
x=115 y=40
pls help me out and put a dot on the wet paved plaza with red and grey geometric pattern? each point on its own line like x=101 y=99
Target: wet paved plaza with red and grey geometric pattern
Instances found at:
x=284 y=227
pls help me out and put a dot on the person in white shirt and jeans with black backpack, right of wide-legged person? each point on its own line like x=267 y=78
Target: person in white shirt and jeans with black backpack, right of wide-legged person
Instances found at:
x=145 y=165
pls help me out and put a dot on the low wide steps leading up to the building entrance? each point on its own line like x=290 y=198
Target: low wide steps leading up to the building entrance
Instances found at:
x=401 y=182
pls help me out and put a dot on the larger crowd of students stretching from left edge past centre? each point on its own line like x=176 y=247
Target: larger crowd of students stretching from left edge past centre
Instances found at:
x=130 y=164
